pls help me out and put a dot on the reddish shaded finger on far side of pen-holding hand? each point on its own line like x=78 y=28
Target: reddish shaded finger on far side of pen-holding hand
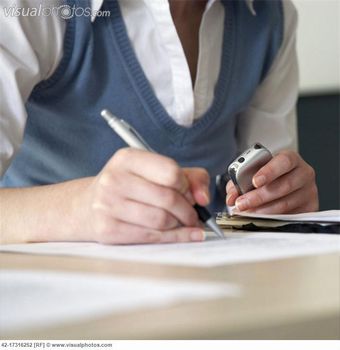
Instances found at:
x=198 y=184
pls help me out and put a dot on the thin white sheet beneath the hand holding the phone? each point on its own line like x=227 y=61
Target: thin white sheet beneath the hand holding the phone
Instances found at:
x=319 y=216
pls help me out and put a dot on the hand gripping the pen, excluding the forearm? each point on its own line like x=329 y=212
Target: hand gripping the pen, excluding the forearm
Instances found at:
x=142 y=197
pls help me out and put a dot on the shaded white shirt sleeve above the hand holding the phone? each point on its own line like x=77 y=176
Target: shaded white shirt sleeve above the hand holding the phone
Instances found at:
x=270 y=118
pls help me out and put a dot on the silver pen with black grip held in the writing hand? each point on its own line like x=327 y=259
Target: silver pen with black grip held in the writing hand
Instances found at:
x=134 y=139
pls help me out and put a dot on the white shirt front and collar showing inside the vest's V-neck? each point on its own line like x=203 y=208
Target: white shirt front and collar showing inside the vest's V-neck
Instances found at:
x=165 y=65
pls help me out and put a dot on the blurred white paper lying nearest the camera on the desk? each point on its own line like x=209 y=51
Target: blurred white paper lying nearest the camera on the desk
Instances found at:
x=40 y=298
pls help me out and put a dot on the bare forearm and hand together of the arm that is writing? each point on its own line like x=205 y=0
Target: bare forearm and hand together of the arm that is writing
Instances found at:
x=126 y=203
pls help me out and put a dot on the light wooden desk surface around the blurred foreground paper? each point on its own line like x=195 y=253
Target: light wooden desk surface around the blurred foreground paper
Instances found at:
x=296 y=298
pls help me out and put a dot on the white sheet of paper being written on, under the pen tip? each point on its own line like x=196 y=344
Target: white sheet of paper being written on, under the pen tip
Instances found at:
x=238 y=247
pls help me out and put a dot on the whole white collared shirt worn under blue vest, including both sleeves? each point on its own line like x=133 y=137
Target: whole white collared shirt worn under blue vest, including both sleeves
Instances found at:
x=32 y=47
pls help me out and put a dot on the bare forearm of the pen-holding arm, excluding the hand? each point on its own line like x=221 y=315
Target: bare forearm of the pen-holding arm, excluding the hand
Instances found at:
x=44 y=213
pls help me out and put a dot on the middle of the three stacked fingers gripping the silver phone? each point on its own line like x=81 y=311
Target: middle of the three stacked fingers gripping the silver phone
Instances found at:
x=277 y=189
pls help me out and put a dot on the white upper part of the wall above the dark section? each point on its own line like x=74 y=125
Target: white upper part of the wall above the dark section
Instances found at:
x=319 y=45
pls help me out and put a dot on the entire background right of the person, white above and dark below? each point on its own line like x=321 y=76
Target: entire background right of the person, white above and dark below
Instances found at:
x=319 y=102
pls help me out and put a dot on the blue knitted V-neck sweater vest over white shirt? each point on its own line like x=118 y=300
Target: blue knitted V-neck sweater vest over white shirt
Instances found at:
x=65 y=137
